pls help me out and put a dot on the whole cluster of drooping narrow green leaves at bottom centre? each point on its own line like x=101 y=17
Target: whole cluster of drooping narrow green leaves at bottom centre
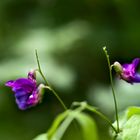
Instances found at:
x=62 y=122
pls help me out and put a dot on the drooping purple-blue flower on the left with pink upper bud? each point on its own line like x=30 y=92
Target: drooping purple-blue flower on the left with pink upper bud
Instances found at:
x=27 y=93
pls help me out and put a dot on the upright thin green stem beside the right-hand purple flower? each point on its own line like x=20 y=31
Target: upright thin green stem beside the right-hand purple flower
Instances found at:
x=112 y=87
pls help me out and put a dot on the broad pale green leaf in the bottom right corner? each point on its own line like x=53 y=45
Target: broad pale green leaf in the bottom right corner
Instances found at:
x=130 y=124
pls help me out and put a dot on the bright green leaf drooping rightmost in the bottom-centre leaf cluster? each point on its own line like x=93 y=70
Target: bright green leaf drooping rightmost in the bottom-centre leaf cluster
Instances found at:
x=88 y=126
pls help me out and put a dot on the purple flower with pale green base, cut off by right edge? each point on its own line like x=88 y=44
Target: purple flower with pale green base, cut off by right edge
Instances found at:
x=128 y=72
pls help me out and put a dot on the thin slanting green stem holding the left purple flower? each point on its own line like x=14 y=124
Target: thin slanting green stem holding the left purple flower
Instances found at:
x=47 y=84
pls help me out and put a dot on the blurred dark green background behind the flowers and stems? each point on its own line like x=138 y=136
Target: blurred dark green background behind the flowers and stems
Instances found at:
x=69 y=36
